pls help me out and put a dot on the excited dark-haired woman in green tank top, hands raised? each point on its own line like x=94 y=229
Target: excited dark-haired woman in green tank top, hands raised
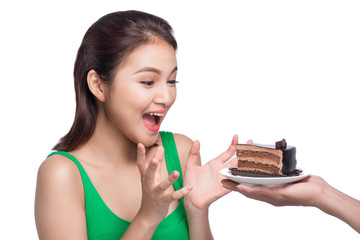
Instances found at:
x=114 y=175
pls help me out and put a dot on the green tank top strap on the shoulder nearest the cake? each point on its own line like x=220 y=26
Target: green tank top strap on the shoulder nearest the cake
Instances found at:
x=172 y=157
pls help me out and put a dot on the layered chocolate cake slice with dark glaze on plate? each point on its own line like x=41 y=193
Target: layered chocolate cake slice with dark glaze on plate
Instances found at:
x=278 y=159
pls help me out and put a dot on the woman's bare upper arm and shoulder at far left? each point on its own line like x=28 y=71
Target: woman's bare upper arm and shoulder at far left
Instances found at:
x=59 y=201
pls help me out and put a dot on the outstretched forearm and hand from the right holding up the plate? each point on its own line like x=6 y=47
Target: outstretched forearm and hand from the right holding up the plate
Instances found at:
x=313 y=191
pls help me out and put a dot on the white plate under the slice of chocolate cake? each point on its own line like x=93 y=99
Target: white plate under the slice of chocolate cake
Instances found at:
x=266 y=181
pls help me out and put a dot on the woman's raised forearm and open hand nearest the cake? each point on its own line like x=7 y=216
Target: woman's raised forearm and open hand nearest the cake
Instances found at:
x=206 y=183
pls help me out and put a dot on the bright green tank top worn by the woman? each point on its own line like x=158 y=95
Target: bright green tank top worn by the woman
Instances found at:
x=103 y=224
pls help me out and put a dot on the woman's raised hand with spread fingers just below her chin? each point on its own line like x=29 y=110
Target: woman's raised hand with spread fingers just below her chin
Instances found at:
x=156 y=194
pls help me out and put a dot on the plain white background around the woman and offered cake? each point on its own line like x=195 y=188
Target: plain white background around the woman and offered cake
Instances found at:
x=265 y=70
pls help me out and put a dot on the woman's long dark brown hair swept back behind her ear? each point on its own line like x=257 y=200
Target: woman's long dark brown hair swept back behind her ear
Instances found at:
x=104 y=48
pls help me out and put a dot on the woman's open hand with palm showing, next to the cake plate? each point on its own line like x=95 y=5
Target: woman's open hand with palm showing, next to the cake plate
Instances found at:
x=206 y=180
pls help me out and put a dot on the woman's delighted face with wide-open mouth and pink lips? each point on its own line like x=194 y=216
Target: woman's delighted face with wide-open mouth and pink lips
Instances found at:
x=143 y=91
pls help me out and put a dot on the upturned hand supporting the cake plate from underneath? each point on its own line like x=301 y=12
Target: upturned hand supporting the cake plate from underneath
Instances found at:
x=305 y=193
